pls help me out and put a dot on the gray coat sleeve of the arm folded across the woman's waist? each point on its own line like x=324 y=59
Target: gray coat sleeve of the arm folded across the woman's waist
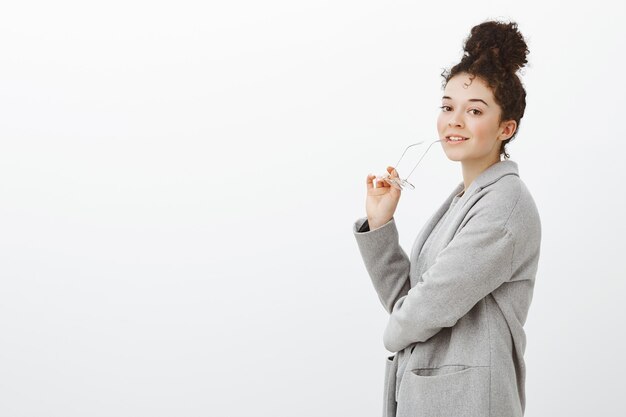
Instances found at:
x=475 y=262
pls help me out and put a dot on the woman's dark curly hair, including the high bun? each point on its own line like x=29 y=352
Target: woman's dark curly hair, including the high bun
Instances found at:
x=495 y=51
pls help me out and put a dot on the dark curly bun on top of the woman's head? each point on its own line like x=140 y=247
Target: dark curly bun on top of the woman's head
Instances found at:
x=499 y=43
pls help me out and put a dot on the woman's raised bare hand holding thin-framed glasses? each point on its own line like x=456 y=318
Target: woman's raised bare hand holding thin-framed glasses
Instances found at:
x=381 y=201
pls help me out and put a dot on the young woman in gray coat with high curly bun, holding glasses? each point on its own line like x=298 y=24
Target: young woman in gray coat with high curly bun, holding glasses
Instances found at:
x=458 y=304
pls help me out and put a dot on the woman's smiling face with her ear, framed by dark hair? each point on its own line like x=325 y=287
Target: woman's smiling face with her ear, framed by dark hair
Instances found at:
x=471 y=113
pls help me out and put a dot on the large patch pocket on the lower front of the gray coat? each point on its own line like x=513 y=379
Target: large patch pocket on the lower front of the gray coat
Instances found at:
x=446 y=391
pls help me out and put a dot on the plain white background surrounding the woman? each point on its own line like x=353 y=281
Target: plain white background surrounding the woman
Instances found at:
x=179 y=181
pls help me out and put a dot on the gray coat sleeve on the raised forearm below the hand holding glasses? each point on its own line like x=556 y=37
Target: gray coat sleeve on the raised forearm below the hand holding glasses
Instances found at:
x=385 y=261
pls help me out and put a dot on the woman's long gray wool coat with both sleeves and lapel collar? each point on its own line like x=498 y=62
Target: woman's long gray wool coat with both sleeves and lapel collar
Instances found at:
x=458 y=303
